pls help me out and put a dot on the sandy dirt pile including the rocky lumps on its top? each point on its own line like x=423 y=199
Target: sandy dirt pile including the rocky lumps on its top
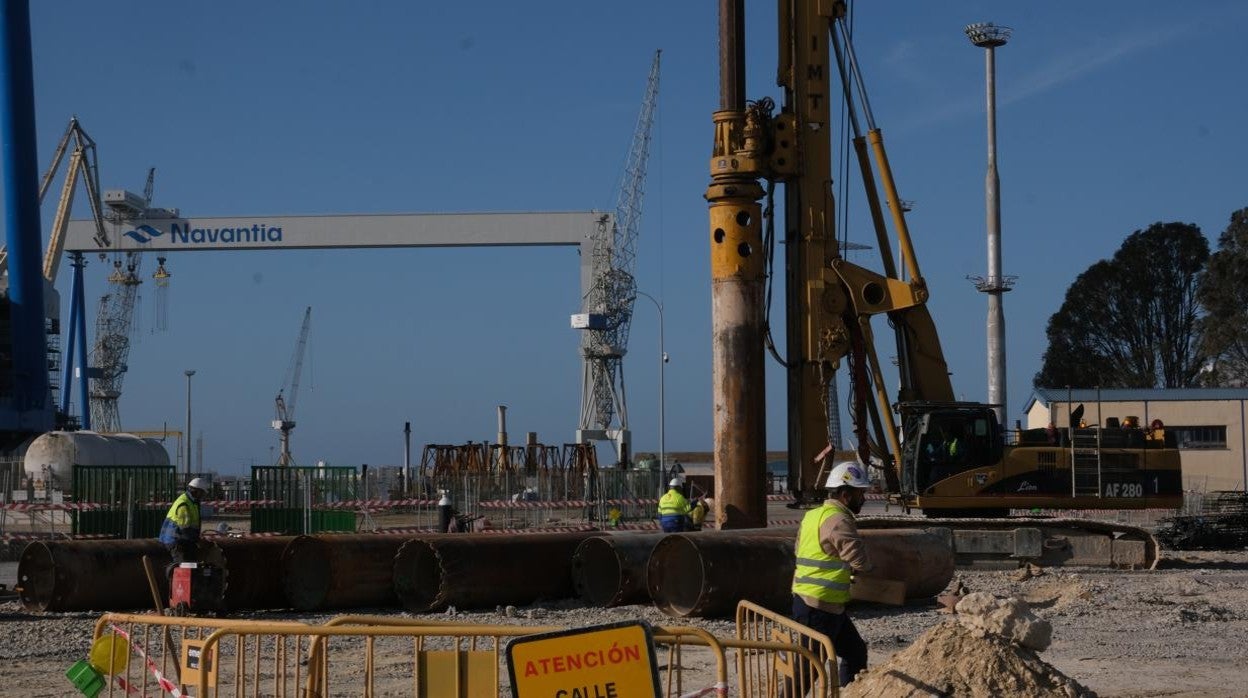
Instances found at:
x=992 y=650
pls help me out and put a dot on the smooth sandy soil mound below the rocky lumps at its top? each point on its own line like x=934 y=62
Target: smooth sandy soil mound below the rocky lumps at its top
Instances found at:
x=953 y=660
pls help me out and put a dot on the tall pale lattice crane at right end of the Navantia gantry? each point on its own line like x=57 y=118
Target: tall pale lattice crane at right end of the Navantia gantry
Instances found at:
x=608 y=307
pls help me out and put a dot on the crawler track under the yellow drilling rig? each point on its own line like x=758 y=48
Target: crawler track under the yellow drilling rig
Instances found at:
x=1005 y=544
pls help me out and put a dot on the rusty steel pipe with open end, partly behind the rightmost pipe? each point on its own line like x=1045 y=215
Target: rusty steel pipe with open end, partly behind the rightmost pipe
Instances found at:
x=611 y=570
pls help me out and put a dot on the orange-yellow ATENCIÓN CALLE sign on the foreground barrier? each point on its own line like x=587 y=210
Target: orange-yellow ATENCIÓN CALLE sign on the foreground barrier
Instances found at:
x=613 y=661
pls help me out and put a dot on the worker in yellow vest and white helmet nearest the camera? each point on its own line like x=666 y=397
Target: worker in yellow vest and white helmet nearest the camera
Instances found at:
x=829 y=551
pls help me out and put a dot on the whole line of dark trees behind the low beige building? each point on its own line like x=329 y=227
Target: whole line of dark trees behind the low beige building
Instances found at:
x=1164 y=313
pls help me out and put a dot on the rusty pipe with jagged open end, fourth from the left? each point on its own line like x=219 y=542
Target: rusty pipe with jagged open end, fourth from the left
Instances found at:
x=482 y=571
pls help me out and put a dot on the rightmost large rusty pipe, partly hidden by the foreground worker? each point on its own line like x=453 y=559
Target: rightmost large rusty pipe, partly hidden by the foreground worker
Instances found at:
x=706 y=576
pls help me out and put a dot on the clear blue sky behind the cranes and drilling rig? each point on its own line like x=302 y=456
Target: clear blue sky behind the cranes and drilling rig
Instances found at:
x=1113 y=116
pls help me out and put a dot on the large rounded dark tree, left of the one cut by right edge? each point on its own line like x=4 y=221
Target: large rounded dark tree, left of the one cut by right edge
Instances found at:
x=1131 y=322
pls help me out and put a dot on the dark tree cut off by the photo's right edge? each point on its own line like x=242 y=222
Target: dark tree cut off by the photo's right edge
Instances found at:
x=1225 y=295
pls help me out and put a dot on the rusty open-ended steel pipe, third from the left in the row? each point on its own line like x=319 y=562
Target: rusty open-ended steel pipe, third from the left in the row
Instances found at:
x=351 y=571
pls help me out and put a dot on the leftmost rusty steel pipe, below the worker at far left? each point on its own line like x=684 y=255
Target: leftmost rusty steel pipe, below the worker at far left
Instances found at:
x=88 y=575
